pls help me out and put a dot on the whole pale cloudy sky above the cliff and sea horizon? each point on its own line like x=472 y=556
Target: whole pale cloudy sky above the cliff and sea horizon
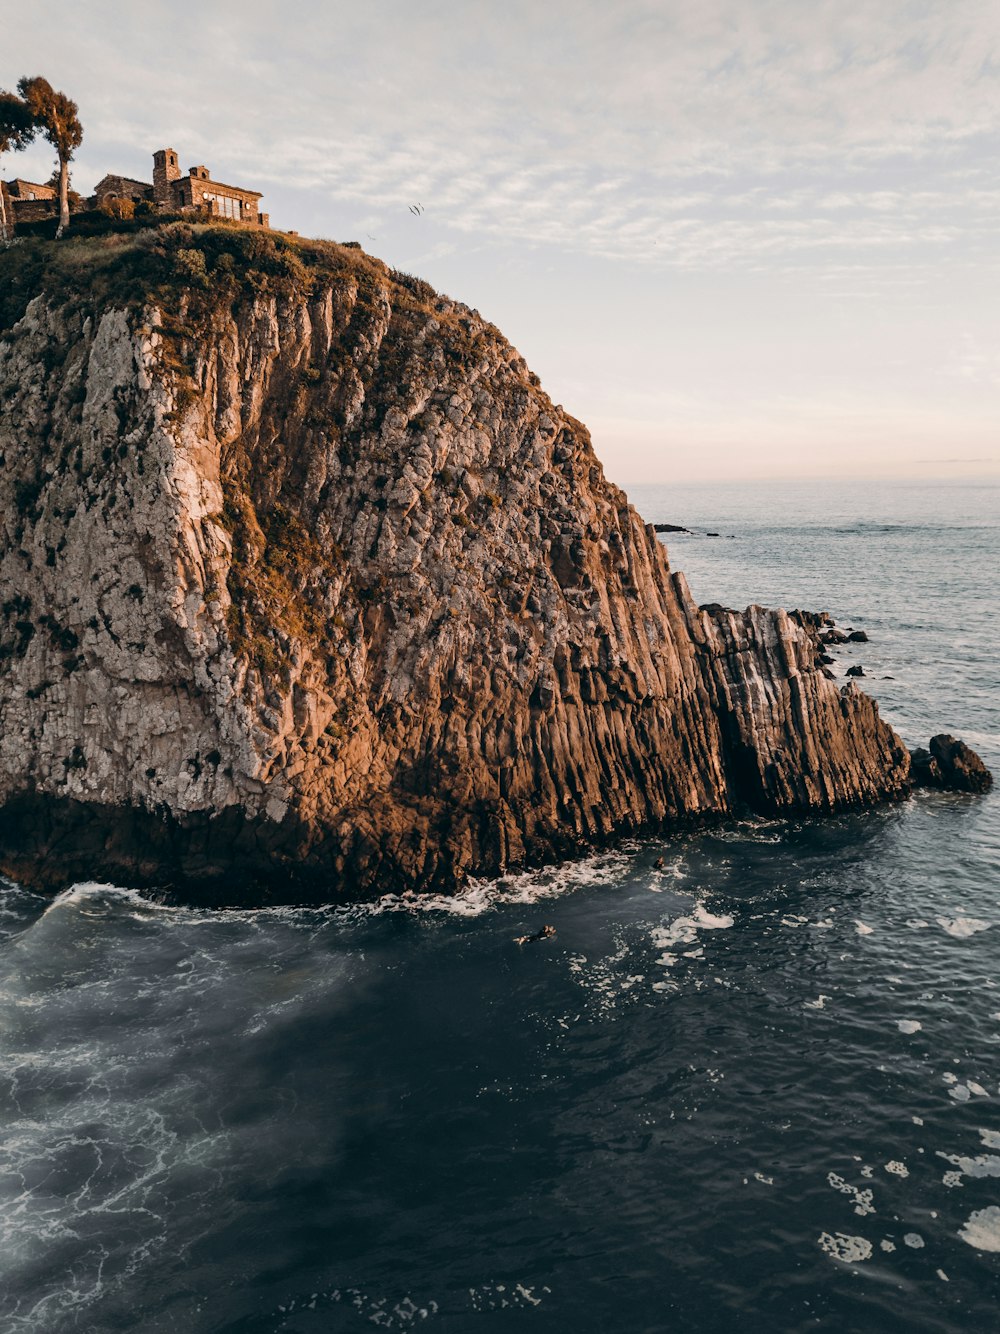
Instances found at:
x=738 y=239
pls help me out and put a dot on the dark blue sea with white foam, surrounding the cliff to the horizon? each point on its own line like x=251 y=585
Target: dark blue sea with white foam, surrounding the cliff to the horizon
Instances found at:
x=754 y=1091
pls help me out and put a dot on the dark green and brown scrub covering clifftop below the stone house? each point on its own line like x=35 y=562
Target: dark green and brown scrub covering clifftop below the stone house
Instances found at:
x=157 y=261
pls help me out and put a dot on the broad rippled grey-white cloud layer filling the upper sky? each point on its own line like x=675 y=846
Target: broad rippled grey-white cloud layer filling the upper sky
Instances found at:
x=650 y=133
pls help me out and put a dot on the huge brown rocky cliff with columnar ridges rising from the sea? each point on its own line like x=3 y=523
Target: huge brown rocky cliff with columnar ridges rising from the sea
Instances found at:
x=309 y=592
